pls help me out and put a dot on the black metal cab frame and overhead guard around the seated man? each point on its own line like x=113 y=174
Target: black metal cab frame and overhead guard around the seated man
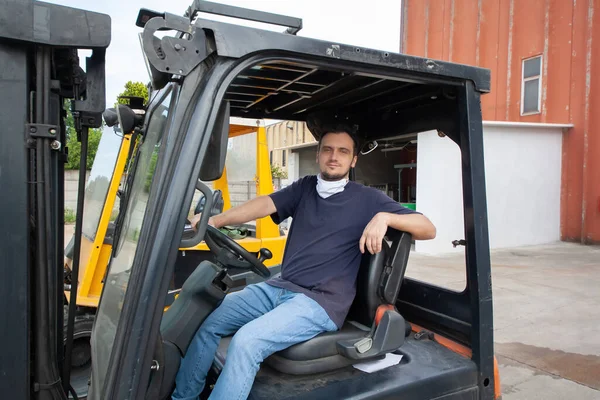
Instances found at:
x=232 y=52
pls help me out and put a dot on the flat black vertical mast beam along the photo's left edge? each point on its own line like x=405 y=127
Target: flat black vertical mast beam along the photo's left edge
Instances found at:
x=15 y=291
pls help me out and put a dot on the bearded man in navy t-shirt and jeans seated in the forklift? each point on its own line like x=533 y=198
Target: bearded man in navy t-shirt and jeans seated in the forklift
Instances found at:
x=334 y=221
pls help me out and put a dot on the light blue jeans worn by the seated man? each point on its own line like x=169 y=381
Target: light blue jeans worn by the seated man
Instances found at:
x=267 y=319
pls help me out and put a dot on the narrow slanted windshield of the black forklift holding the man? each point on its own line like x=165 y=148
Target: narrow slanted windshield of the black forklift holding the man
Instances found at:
x=117 y=280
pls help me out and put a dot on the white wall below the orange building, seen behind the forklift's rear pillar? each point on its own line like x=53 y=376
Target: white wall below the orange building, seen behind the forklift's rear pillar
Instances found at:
x=523 y=180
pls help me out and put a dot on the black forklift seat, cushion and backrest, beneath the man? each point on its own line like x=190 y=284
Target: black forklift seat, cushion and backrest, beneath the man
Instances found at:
x=373 y=326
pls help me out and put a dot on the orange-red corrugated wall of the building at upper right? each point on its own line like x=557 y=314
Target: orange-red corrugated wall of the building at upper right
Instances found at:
x=499 y=34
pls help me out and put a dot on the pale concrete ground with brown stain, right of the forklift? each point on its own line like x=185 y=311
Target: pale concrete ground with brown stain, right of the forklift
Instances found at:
x=546 y=316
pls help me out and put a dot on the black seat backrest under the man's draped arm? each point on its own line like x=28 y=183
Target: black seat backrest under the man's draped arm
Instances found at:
x=380 y=277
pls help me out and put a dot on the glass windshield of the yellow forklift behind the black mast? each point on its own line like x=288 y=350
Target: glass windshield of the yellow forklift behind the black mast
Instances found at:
x=99 y=180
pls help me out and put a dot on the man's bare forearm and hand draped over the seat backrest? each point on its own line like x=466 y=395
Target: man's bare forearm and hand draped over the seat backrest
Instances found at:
x=416 y=224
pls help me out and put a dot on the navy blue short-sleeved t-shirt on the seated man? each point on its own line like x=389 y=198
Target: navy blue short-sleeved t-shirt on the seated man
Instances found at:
x=322 y=256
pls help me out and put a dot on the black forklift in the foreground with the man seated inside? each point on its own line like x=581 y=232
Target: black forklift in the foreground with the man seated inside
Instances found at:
x=203 y=72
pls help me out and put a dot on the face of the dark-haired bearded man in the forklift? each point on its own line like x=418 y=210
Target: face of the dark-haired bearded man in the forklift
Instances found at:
x=336 y=156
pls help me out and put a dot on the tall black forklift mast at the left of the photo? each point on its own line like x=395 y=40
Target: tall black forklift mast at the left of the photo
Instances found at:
x=39 y=70
